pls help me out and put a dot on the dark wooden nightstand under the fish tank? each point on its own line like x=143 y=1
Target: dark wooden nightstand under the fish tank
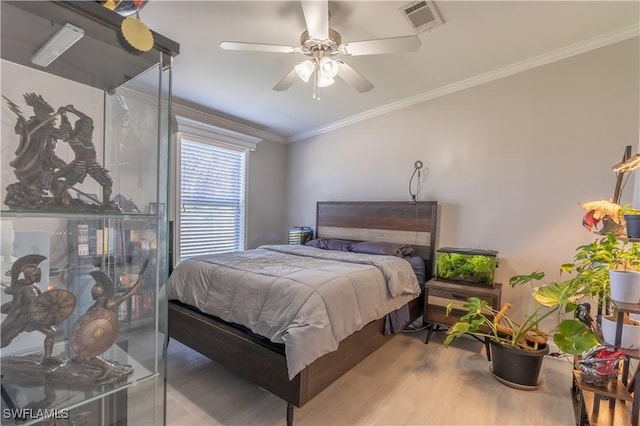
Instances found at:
x=438 y=294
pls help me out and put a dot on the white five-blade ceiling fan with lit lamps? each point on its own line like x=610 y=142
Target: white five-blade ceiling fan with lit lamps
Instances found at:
x=323 y=47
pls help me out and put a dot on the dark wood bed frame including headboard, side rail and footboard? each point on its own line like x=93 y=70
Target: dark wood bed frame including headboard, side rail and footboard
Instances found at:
x=264 y=365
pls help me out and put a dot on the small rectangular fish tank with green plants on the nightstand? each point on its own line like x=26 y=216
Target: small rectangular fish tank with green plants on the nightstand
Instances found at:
x=467 y=266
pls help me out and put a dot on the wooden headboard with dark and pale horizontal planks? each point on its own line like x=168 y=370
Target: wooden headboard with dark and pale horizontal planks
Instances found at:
x=391 y=221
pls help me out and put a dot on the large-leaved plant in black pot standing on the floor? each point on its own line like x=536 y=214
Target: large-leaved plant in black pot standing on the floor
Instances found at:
x=518 y=346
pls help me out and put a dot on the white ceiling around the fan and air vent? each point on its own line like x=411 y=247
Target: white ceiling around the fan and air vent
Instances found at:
x=479 y=41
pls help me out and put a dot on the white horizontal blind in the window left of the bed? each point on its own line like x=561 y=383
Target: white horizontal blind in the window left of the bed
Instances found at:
x=211 y=198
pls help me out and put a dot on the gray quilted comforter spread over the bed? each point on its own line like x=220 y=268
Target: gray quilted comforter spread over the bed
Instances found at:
x=307 y=298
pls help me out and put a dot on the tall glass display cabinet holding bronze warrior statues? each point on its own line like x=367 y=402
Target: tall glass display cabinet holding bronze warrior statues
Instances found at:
x=83 y=187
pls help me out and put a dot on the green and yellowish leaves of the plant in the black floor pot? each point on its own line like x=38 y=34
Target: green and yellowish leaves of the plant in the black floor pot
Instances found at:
x=556 y=298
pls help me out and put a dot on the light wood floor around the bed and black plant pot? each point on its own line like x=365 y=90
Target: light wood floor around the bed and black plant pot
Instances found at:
x=403 y=383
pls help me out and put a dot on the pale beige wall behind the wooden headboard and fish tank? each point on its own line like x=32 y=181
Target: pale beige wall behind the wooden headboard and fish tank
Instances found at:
x=508 y=161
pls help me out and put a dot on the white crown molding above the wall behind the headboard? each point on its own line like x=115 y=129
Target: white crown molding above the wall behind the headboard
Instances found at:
x=553 y=56
